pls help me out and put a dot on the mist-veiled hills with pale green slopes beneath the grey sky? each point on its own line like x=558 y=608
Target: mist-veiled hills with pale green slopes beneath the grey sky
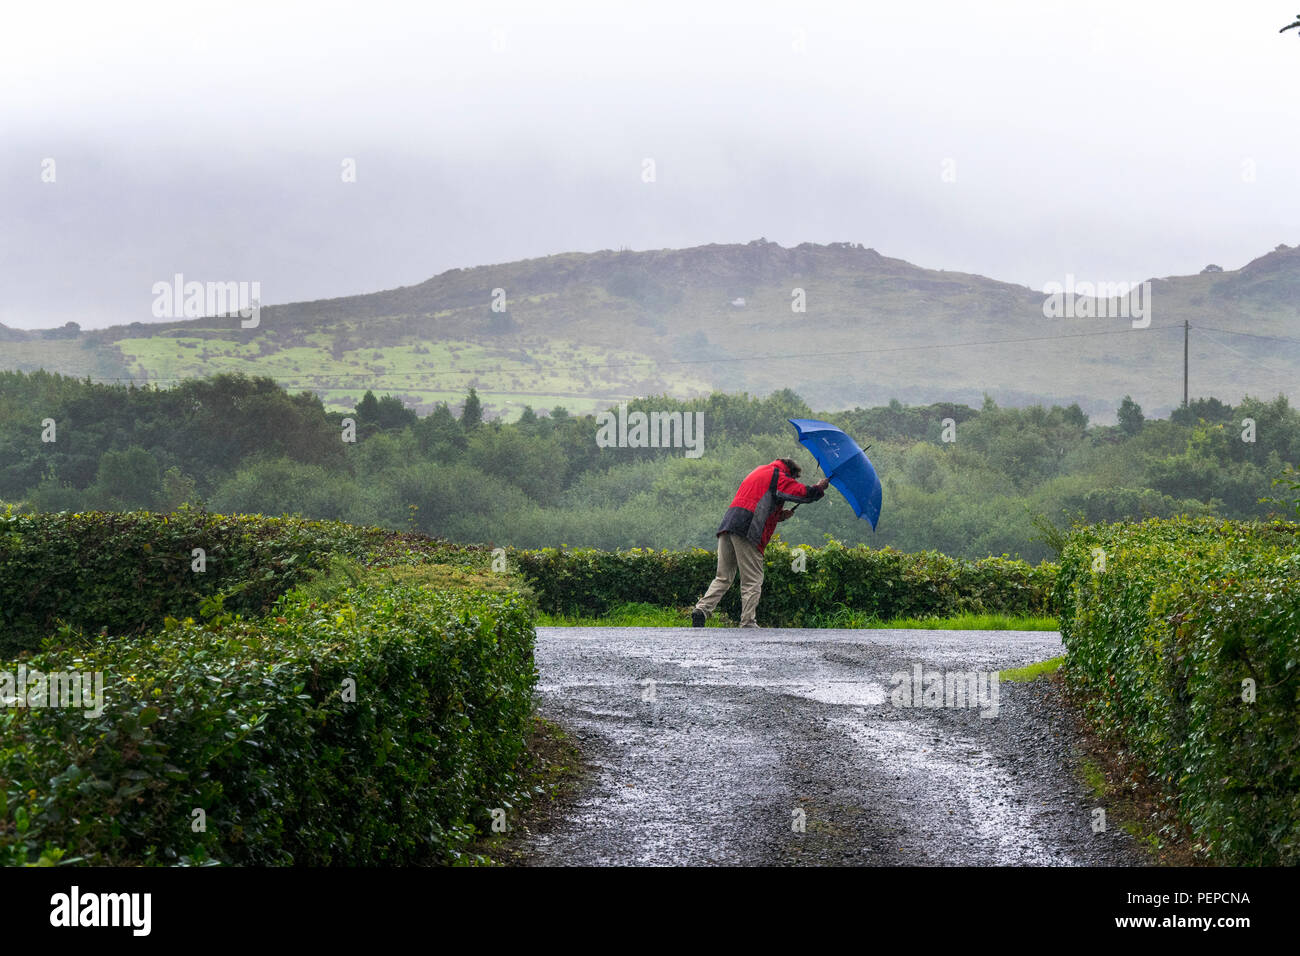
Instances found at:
x=587 y=331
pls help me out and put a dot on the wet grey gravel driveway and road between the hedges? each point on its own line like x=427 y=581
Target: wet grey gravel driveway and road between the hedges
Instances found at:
x=779 y=747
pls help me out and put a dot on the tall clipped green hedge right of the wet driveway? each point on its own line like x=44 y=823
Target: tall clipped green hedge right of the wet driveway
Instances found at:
x=1160 y=642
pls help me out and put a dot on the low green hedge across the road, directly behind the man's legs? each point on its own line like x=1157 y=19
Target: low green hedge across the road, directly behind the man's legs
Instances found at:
x=886 y=583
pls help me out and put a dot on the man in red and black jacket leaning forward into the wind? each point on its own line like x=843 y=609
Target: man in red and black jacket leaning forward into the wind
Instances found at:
x=746 y=530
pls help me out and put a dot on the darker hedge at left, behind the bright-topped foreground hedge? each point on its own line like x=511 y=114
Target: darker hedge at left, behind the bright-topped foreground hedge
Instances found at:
x=123 y=572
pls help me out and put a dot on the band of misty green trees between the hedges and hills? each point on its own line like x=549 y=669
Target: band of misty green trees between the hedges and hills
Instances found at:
x=967 y=482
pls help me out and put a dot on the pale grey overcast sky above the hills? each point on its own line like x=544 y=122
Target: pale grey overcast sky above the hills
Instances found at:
x=1022 y=141
